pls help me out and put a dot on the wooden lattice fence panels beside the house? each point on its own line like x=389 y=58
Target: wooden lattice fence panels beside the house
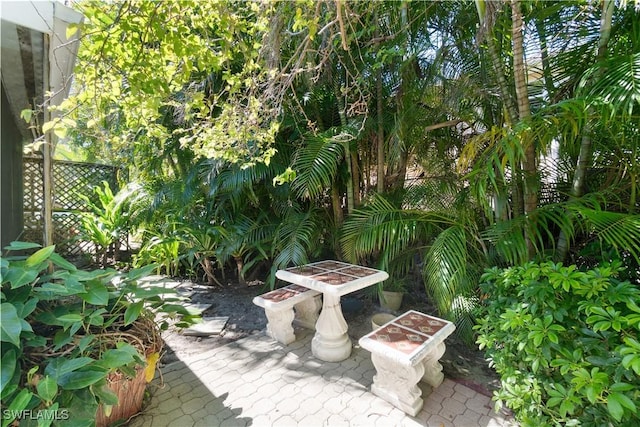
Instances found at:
x=70 y=179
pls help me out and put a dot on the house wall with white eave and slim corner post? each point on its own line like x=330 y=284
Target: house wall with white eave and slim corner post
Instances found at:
x=37 y=58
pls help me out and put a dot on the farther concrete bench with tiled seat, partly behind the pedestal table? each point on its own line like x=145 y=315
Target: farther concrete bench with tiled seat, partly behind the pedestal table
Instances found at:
x=285 y=305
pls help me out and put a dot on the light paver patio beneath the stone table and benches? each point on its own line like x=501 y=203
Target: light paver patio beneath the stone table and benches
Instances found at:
x=256 y=381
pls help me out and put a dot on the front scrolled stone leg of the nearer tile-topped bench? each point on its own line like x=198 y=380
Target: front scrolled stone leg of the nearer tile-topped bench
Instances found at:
x=398 y=384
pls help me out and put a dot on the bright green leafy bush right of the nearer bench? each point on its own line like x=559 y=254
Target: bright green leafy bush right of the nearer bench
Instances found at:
x=565 y=343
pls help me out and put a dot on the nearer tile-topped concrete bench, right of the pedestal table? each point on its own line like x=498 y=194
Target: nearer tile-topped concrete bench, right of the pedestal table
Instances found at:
x=405 y=351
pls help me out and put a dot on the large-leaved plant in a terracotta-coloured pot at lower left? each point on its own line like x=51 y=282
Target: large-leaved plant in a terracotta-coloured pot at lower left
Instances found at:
x=70 y=338
